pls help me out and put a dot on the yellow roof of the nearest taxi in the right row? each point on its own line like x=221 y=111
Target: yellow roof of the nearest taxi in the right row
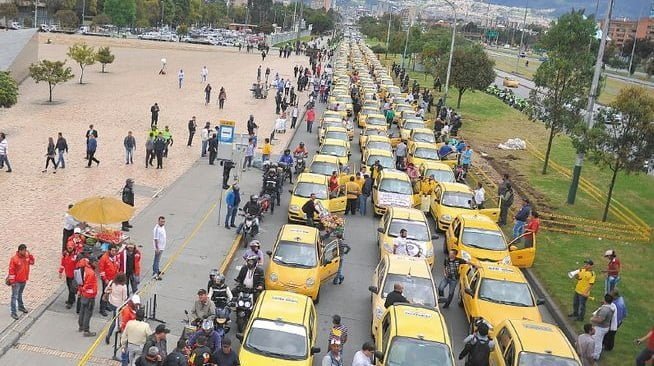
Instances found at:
x=531 y=335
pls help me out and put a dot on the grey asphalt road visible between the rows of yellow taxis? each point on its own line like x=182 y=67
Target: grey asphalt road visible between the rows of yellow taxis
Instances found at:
x=351 y=299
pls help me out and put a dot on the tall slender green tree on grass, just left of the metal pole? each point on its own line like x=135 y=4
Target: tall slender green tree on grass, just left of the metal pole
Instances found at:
x=563 y=81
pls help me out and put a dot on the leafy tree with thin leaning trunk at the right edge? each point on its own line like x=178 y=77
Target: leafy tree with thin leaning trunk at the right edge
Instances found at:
x=624 y=143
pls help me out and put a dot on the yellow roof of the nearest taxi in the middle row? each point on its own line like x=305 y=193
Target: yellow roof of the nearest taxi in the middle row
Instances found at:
x=422 y=322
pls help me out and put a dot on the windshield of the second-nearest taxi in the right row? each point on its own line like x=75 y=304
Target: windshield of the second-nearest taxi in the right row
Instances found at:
x=505 y=292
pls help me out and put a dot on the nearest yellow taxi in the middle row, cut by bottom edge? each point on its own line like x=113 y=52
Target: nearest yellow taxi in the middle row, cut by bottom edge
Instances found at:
x=413 y=335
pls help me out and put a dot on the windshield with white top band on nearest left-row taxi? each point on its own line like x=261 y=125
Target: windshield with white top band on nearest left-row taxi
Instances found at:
x=277 y=339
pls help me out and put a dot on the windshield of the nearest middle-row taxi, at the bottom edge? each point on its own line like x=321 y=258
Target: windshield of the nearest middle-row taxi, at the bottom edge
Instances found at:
x=415 y=352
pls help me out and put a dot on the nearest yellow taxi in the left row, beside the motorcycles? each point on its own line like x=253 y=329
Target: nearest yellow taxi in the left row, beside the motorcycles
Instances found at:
x=281 y=331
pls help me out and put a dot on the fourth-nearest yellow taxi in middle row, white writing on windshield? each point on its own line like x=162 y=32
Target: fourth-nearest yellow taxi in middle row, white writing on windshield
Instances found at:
x=392 y=188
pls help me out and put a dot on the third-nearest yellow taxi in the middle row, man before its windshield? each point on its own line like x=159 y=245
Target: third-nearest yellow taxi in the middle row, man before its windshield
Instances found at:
x=418 y=233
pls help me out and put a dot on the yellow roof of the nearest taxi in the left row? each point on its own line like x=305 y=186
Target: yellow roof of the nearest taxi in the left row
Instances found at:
x=283 y=305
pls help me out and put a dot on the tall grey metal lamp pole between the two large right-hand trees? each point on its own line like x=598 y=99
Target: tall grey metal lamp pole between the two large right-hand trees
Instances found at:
x=579 y=162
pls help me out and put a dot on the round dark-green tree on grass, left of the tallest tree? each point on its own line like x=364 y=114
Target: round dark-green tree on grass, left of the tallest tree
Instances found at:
x=472 y=69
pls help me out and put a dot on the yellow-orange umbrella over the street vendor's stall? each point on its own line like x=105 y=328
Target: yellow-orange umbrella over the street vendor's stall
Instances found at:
x=101 y=210
